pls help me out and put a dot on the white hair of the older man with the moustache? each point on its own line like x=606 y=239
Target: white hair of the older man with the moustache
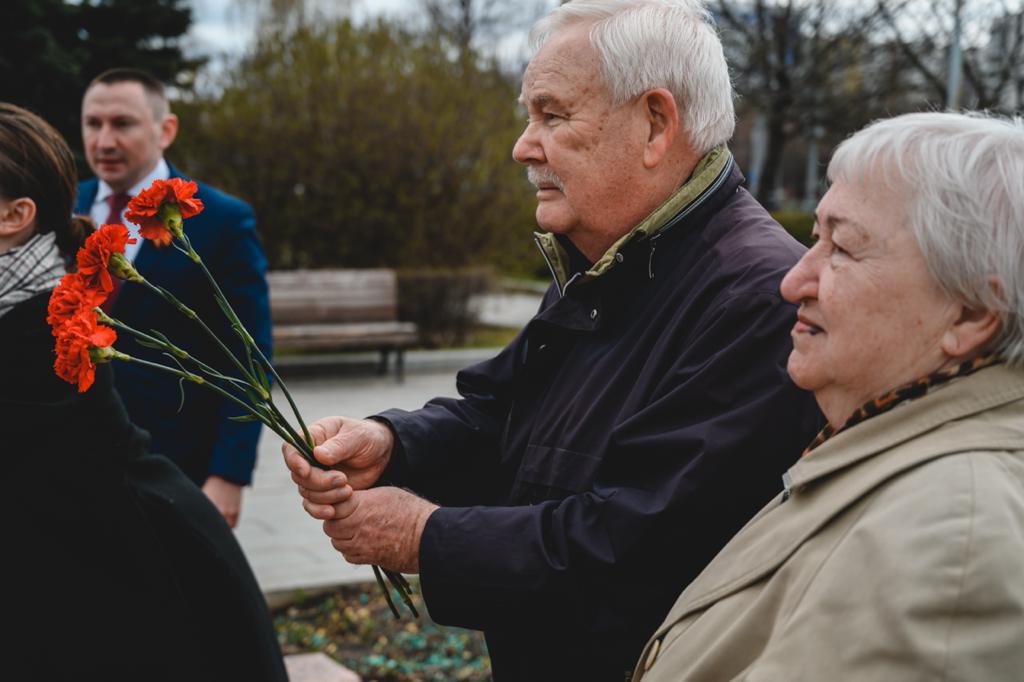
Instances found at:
x=647 y=45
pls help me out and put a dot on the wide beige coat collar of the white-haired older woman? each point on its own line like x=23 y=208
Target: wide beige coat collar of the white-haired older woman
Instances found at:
x=947 y=421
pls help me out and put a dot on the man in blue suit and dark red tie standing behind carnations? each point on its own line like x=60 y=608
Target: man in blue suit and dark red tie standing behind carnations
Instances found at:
x=126 y=126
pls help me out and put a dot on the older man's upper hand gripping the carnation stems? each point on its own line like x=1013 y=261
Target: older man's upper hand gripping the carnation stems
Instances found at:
x=359 y=448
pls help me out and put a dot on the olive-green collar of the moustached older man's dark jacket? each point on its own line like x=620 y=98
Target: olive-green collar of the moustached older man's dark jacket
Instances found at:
x=708 y=177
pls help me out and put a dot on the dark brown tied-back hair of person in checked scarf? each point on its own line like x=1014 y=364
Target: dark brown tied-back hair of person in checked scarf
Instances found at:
x=35 y=162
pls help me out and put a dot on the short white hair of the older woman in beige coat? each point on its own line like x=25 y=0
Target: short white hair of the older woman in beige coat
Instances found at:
x=964 y=179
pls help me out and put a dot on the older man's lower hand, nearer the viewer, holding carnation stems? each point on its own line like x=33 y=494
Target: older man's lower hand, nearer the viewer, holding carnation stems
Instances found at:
x=381 y=527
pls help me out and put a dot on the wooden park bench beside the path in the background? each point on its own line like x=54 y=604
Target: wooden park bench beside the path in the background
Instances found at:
x=340 y=310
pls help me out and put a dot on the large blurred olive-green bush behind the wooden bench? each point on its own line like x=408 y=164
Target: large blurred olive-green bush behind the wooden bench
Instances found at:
x=367 y=146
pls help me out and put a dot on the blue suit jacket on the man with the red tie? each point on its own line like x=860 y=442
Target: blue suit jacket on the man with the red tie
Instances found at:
x=201 y=439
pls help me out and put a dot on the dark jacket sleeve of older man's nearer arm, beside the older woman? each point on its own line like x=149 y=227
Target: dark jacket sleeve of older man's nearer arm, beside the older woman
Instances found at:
x=682 y=477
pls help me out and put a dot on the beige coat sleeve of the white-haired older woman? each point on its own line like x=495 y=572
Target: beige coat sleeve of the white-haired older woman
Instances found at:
x=924 y=585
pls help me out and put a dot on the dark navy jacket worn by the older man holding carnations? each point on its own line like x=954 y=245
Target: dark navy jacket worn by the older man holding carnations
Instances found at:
x=594 y=467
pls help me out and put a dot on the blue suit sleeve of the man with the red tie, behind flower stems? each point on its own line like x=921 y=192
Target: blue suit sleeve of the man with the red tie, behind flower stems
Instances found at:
x=240 y=270
